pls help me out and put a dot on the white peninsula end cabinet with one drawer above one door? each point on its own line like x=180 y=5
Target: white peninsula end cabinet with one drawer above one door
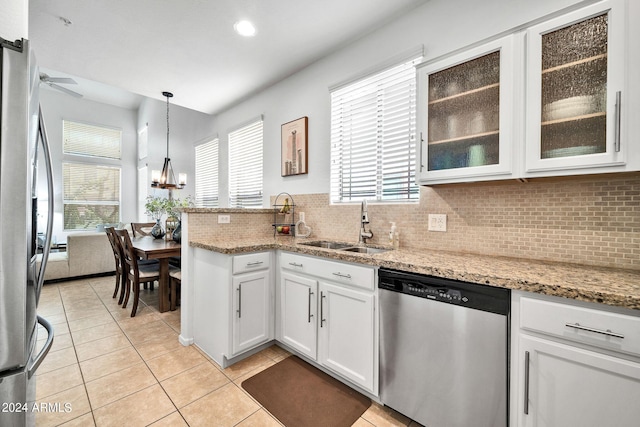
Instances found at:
x=233 y=303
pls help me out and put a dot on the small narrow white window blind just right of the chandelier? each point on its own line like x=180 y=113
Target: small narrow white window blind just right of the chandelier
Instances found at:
x=207 y=174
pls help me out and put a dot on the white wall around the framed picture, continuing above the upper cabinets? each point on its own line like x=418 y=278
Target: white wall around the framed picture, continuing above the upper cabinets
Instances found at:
x=442 y=26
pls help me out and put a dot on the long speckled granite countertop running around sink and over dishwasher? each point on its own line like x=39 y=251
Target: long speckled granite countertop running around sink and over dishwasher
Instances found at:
x=615 y=287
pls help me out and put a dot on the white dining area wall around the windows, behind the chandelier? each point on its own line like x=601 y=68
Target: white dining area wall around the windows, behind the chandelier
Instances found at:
x=187 y=128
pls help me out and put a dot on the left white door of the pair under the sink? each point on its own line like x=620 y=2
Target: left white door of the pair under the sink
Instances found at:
x=298 y=309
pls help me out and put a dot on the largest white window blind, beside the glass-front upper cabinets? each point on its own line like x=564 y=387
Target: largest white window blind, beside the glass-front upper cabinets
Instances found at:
x=373 y=137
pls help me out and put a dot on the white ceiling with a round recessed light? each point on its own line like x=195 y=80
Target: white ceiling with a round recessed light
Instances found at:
x=120 y=51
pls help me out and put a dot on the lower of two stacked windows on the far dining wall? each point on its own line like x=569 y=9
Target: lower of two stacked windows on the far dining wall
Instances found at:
x=91 y=195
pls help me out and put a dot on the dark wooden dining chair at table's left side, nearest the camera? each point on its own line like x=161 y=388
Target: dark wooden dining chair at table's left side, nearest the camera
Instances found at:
x=135 y=273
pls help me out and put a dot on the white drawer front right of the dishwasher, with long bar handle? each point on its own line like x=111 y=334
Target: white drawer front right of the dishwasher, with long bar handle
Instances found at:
x=611 y=331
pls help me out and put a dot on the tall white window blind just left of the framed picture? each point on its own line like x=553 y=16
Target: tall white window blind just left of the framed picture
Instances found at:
x=245 y=166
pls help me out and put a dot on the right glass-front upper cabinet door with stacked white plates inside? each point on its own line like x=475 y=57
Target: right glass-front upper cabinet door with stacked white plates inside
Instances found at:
x=575 y=96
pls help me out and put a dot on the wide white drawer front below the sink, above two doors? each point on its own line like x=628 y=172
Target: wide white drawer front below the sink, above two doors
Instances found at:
x=354 y=275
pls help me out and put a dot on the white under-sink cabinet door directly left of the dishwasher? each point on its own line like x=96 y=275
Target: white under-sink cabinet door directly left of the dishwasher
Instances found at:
x=347 y=328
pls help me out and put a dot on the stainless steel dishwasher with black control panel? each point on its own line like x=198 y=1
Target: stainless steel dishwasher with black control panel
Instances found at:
x=444 y=350
